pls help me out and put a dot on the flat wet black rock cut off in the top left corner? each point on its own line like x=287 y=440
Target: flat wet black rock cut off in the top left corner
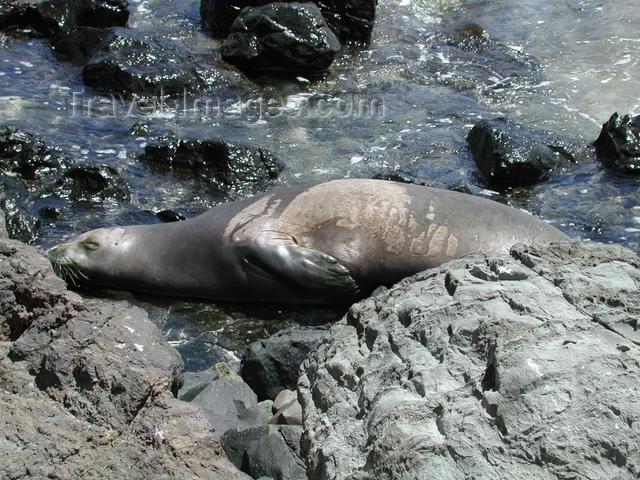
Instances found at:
x=50 y=17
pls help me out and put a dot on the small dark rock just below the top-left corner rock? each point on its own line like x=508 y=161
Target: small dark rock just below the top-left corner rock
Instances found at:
x=77 y=44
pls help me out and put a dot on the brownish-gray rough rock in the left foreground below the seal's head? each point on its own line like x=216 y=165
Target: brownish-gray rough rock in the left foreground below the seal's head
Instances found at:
x=86 y=386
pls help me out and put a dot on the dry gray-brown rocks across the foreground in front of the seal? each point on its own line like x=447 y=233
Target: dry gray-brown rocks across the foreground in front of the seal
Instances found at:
x=491 y=366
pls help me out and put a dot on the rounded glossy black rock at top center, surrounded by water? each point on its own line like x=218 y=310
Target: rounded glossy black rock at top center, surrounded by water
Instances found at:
x=290 y=37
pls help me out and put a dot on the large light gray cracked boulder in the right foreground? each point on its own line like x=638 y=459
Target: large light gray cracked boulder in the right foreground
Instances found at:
x=490 y=367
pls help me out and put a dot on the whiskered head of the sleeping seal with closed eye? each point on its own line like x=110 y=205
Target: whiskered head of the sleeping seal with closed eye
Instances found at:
x=93 y=257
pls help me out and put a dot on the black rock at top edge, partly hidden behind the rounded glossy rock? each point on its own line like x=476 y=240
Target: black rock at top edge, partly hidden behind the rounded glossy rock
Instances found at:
x=350 y=20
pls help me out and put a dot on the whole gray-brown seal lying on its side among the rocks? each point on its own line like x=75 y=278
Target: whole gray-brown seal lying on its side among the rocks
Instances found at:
x=331 y=242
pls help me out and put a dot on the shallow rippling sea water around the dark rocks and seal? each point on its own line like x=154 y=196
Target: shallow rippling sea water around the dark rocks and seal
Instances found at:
x=561 y=65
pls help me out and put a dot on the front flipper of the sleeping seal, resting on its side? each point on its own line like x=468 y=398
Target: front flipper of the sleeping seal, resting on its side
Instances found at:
x=302 y=268
